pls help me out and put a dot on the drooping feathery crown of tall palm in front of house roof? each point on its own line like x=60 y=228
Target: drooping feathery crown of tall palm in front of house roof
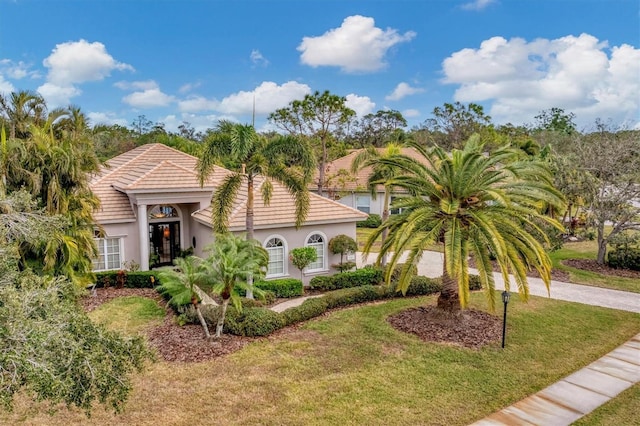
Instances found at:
x=239 y=148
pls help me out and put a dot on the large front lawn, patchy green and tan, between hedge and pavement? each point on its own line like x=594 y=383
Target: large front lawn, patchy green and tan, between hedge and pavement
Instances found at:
x=351 y=367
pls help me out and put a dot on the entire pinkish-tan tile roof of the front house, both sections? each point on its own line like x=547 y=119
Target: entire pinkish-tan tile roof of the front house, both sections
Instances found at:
x=157 y=167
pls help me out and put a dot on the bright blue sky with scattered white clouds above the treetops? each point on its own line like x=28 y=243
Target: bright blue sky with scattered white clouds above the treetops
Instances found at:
x=199 y=61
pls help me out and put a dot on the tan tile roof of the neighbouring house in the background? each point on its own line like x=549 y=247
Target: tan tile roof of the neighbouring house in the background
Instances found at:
x=357 y=181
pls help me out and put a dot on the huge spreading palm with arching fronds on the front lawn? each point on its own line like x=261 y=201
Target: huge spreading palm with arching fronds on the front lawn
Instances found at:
x=478 y=204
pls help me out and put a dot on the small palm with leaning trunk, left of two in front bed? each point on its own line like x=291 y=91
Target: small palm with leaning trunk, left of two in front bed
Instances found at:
x=181 y=282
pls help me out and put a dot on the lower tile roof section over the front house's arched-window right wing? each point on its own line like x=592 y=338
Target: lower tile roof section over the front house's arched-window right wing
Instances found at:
x=281 y=210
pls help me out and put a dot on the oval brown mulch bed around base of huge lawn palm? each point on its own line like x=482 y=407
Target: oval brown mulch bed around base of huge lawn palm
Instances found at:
x=470 y=328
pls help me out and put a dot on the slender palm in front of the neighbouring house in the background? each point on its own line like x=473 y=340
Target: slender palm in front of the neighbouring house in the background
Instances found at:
x=382 y=173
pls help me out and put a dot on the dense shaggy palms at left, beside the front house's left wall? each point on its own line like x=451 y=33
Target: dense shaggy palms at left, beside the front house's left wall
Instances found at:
x=59 y=169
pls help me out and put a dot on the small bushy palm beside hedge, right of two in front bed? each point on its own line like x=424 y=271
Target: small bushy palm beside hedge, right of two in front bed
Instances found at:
x=232 y=261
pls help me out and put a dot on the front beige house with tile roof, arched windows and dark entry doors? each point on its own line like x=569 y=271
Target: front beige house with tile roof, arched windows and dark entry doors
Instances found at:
x=153 y=208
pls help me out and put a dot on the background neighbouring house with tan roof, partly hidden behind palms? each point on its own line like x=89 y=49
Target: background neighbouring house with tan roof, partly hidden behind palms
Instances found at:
x=351 y=189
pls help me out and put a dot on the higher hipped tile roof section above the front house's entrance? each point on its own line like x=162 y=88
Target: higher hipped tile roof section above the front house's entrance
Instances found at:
x=147 y=167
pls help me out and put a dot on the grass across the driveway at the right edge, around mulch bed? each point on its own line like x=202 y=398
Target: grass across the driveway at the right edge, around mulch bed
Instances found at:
x=588 y=250
